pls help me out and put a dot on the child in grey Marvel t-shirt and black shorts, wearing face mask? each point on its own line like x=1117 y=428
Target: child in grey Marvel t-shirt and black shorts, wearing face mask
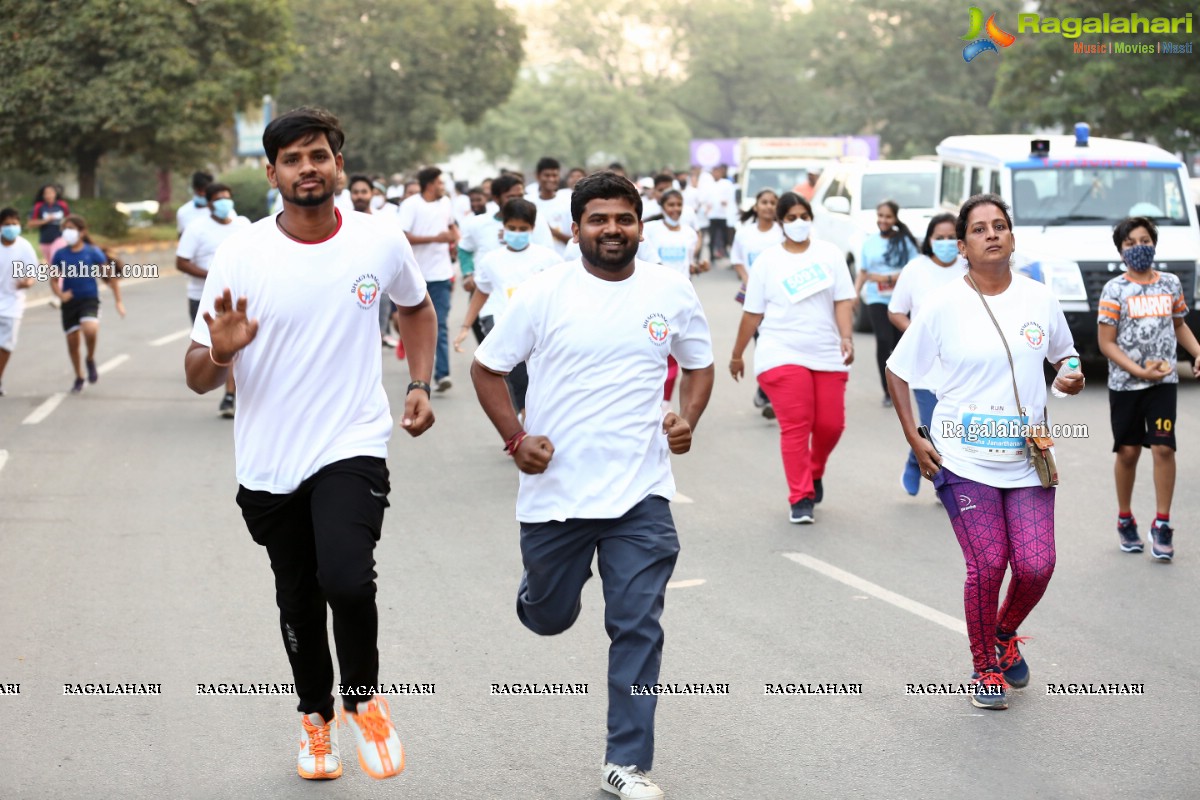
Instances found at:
x=1141 y=327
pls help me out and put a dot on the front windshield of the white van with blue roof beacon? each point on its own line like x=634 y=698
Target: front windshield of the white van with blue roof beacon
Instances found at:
x=1091 y=196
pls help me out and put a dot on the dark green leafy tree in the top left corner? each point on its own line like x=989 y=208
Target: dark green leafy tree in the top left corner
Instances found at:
x=157 y=80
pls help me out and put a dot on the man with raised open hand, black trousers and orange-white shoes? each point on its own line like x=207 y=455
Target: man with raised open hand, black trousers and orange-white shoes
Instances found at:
x=291 y=305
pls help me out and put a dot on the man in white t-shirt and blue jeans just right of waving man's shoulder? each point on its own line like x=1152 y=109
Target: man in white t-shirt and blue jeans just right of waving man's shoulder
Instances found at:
x=428 y=219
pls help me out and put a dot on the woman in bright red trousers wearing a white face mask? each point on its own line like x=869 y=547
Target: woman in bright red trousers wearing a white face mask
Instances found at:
x=800 y=299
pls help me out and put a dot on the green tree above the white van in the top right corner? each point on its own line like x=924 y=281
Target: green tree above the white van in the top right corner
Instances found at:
x=1120 y=95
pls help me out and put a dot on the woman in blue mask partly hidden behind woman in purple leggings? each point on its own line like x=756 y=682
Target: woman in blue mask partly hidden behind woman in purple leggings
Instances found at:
x=937 y=267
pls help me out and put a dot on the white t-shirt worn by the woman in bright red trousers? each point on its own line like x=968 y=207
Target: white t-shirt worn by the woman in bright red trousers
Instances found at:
x=796 y=296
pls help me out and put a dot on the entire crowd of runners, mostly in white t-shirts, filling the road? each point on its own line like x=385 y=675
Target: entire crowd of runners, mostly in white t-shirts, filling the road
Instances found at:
x=580 y=300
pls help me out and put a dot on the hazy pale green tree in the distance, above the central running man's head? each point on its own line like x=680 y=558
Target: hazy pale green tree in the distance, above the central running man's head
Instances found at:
x=580 y=118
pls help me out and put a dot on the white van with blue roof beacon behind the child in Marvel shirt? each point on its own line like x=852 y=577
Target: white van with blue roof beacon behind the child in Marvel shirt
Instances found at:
x=1067 y=194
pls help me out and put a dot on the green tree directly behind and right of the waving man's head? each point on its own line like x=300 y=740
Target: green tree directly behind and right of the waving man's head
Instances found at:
x=394 y=70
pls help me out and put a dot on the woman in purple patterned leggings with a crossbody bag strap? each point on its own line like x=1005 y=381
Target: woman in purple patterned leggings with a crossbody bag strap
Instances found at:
x=977 y=454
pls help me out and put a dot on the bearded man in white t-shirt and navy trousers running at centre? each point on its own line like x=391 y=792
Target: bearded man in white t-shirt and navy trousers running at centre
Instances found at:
x=596 y=470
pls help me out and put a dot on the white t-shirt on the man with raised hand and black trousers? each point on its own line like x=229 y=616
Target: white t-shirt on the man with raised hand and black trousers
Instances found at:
x=310 y=387
